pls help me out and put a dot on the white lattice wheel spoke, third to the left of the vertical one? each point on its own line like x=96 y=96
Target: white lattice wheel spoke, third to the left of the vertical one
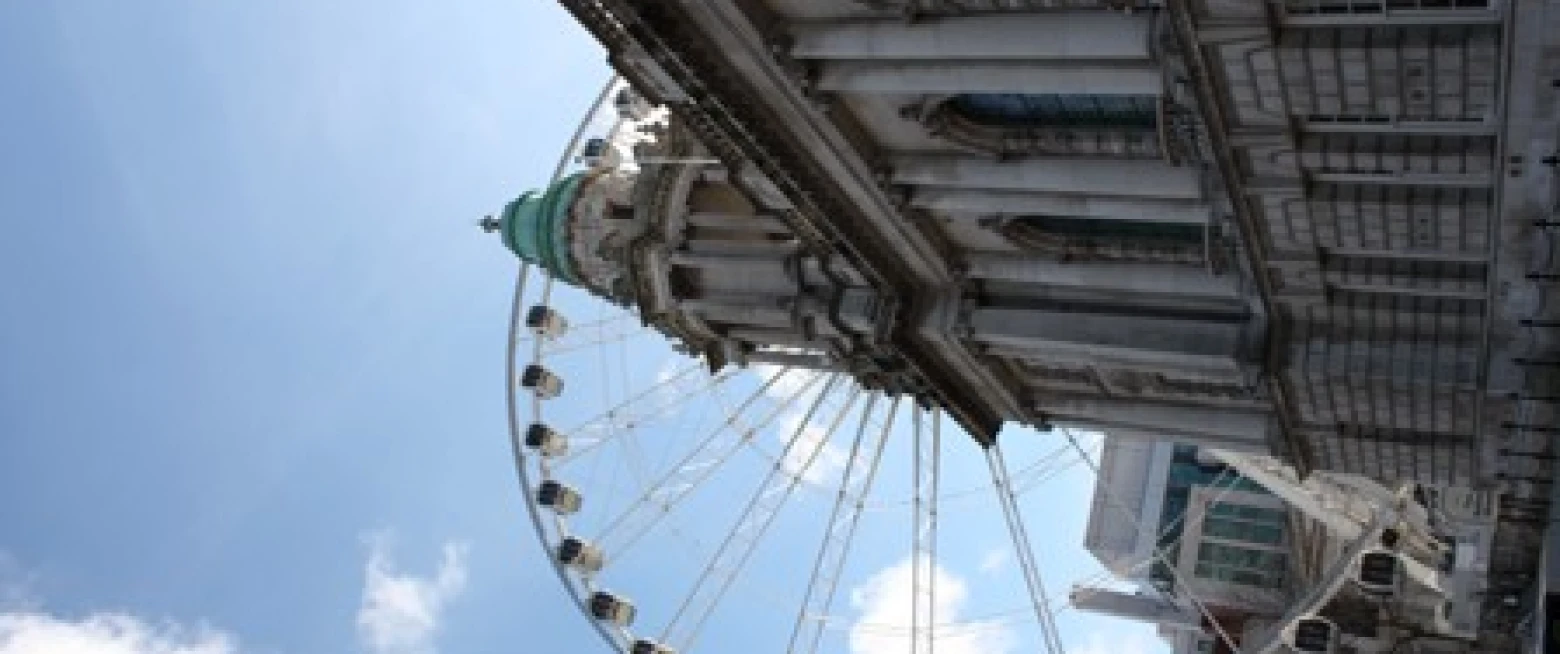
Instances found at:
x=695 y=469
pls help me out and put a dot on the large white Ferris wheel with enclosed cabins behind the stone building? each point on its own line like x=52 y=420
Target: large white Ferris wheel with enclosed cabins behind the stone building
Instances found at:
x=778 y=506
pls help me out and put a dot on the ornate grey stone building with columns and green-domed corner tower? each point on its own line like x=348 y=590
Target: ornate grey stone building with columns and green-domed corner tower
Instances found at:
x=1319 y=230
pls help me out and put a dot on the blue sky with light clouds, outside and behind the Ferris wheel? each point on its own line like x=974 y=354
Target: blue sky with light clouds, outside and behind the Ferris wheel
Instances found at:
x=252 y=343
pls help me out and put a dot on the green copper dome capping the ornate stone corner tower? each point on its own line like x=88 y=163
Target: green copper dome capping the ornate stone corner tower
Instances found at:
x=537 y=227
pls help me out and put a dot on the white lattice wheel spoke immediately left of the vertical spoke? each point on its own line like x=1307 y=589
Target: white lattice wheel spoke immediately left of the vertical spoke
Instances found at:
x=840 y=531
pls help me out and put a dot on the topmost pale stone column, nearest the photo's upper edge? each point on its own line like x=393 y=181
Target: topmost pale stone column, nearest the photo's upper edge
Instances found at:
x=1054 y=35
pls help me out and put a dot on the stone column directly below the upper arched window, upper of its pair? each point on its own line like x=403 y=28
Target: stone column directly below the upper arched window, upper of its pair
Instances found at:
x=1057 y=176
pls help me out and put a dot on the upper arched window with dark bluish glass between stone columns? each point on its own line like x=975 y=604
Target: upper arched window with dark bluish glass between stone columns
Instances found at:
x=1055 y=110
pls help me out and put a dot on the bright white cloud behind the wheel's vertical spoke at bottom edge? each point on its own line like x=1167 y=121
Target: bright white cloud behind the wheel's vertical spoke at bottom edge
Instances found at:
x=885 y=605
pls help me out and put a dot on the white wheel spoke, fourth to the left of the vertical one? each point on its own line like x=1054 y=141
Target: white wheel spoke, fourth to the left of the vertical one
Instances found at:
x=648 y=405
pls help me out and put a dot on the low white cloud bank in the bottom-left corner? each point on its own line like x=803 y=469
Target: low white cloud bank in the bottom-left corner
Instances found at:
x=105 y=634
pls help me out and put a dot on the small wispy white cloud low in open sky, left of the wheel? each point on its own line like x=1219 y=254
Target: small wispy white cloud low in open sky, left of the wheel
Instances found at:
x=402 y=613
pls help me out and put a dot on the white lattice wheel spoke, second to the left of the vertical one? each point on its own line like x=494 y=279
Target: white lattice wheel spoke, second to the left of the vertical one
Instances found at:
x=732 y=555
